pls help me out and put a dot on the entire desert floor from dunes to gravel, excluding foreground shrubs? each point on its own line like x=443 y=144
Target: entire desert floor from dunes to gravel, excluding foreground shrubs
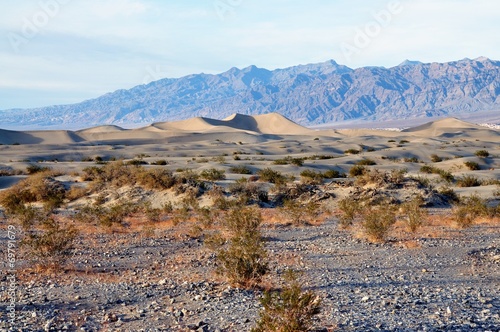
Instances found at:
x=152 y=269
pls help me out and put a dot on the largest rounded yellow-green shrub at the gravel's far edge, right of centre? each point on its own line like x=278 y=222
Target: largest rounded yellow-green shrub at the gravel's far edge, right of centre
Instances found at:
x=377 y=221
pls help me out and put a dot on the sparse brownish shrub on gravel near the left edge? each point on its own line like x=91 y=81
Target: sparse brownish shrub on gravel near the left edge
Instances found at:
x=51 y=243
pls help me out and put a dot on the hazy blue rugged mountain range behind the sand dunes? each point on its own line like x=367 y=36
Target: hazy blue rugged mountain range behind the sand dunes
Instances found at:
x=311 y=94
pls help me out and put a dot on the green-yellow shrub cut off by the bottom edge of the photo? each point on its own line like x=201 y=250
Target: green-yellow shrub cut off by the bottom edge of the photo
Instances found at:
x=289 y=310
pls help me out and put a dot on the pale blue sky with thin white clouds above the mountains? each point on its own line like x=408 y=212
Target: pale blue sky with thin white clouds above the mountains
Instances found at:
x=66 y=51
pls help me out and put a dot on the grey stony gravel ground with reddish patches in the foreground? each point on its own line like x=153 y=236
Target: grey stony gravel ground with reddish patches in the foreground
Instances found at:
x=442 y=279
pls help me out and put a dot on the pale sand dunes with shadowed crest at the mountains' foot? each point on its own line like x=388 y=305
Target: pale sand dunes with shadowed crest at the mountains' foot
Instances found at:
x=238 y=128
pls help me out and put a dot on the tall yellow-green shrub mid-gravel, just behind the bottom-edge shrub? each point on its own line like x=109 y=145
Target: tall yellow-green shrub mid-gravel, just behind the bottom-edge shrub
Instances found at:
x=243 y=260
